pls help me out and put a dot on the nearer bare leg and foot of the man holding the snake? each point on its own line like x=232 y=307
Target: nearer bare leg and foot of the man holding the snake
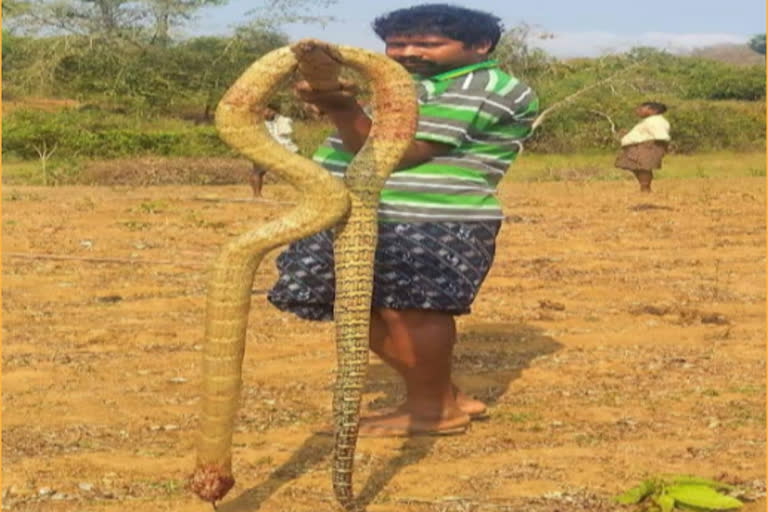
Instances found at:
x=419 y=346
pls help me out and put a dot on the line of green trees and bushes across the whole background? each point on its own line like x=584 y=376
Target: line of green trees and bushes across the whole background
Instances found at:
x=126 y=63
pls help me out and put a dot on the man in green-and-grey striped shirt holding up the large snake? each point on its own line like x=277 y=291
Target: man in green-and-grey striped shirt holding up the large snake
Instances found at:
x=438 y=216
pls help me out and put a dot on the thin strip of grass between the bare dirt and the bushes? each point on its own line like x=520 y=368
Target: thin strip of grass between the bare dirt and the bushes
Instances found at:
x=530 y=167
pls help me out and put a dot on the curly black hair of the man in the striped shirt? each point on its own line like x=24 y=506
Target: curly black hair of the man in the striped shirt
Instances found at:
x=466 y=25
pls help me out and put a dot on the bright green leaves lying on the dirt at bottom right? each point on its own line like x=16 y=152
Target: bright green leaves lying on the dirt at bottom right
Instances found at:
x=666 y=493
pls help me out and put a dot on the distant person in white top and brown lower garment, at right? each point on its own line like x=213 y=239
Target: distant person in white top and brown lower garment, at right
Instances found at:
x=645 y=145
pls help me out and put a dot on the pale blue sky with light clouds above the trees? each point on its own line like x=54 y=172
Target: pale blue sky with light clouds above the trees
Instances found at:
x=581 y=28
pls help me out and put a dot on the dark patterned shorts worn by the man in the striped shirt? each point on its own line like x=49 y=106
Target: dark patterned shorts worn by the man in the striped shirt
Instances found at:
x=434 y=266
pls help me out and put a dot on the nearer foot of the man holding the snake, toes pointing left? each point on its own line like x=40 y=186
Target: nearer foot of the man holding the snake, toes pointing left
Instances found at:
x=403 y=422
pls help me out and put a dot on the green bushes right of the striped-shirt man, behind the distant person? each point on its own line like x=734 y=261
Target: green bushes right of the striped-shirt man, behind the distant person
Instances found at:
x=700 y=95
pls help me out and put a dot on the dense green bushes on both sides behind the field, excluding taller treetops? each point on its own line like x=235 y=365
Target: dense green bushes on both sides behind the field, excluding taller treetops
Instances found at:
x=712 y=105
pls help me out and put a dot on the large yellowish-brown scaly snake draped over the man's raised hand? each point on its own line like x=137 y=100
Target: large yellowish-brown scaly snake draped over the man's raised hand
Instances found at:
x=325 y=202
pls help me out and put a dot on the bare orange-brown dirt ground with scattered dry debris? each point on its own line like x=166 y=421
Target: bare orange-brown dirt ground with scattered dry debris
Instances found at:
x=618 y=336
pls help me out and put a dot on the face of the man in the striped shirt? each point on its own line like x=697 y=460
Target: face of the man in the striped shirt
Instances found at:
x=430 y=54
